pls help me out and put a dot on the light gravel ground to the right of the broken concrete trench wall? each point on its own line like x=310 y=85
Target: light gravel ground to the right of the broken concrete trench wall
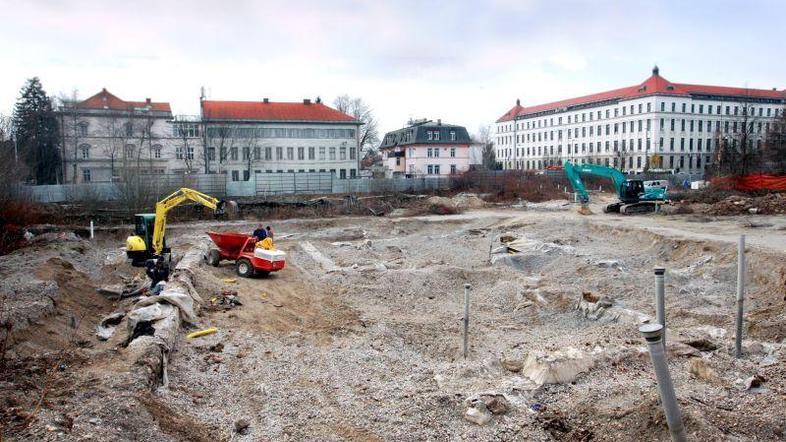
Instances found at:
x=359 y=338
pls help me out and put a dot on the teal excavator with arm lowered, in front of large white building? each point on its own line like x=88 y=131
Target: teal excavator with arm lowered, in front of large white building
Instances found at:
x=633 y=196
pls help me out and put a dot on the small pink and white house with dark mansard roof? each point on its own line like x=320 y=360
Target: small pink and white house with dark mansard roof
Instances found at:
x=426 y=148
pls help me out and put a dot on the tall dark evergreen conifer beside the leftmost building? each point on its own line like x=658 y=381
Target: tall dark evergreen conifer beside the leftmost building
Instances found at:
x=37 y=133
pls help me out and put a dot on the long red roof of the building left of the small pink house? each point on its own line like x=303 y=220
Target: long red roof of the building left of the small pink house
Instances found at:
x=270 y=111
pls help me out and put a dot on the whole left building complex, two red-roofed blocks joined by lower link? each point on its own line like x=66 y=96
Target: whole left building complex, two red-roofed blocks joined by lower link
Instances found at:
x=105 y=138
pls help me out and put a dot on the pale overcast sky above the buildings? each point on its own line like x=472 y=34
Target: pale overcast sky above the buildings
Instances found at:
x=462 y=61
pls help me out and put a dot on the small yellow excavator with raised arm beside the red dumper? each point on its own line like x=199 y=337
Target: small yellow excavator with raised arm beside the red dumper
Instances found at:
x=148 y=241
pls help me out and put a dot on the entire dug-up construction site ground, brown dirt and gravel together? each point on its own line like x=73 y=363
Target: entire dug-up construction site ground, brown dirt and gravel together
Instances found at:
x=366 y=334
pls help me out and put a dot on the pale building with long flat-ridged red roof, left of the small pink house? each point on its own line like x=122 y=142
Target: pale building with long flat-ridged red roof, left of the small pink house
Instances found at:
x=243 y=137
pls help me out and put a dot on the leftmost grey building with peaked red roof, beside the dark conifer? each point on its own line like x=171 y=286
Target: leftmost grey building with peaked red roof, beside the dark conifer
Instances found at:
x=105 y=137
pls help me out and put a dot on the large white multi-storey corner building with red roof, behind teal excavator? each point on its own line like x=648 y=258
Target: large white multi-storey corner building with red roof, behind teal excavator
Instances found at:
x=653 y=125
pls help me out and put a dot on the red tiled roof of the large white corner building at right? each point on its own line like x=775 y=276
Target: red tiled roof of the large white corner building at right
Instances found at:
x=655 y=84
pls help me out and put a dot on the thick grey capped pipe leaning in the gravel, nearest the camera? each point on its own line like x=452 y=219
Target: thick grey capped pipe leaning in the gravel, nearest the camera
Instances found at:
x=653 y=334
